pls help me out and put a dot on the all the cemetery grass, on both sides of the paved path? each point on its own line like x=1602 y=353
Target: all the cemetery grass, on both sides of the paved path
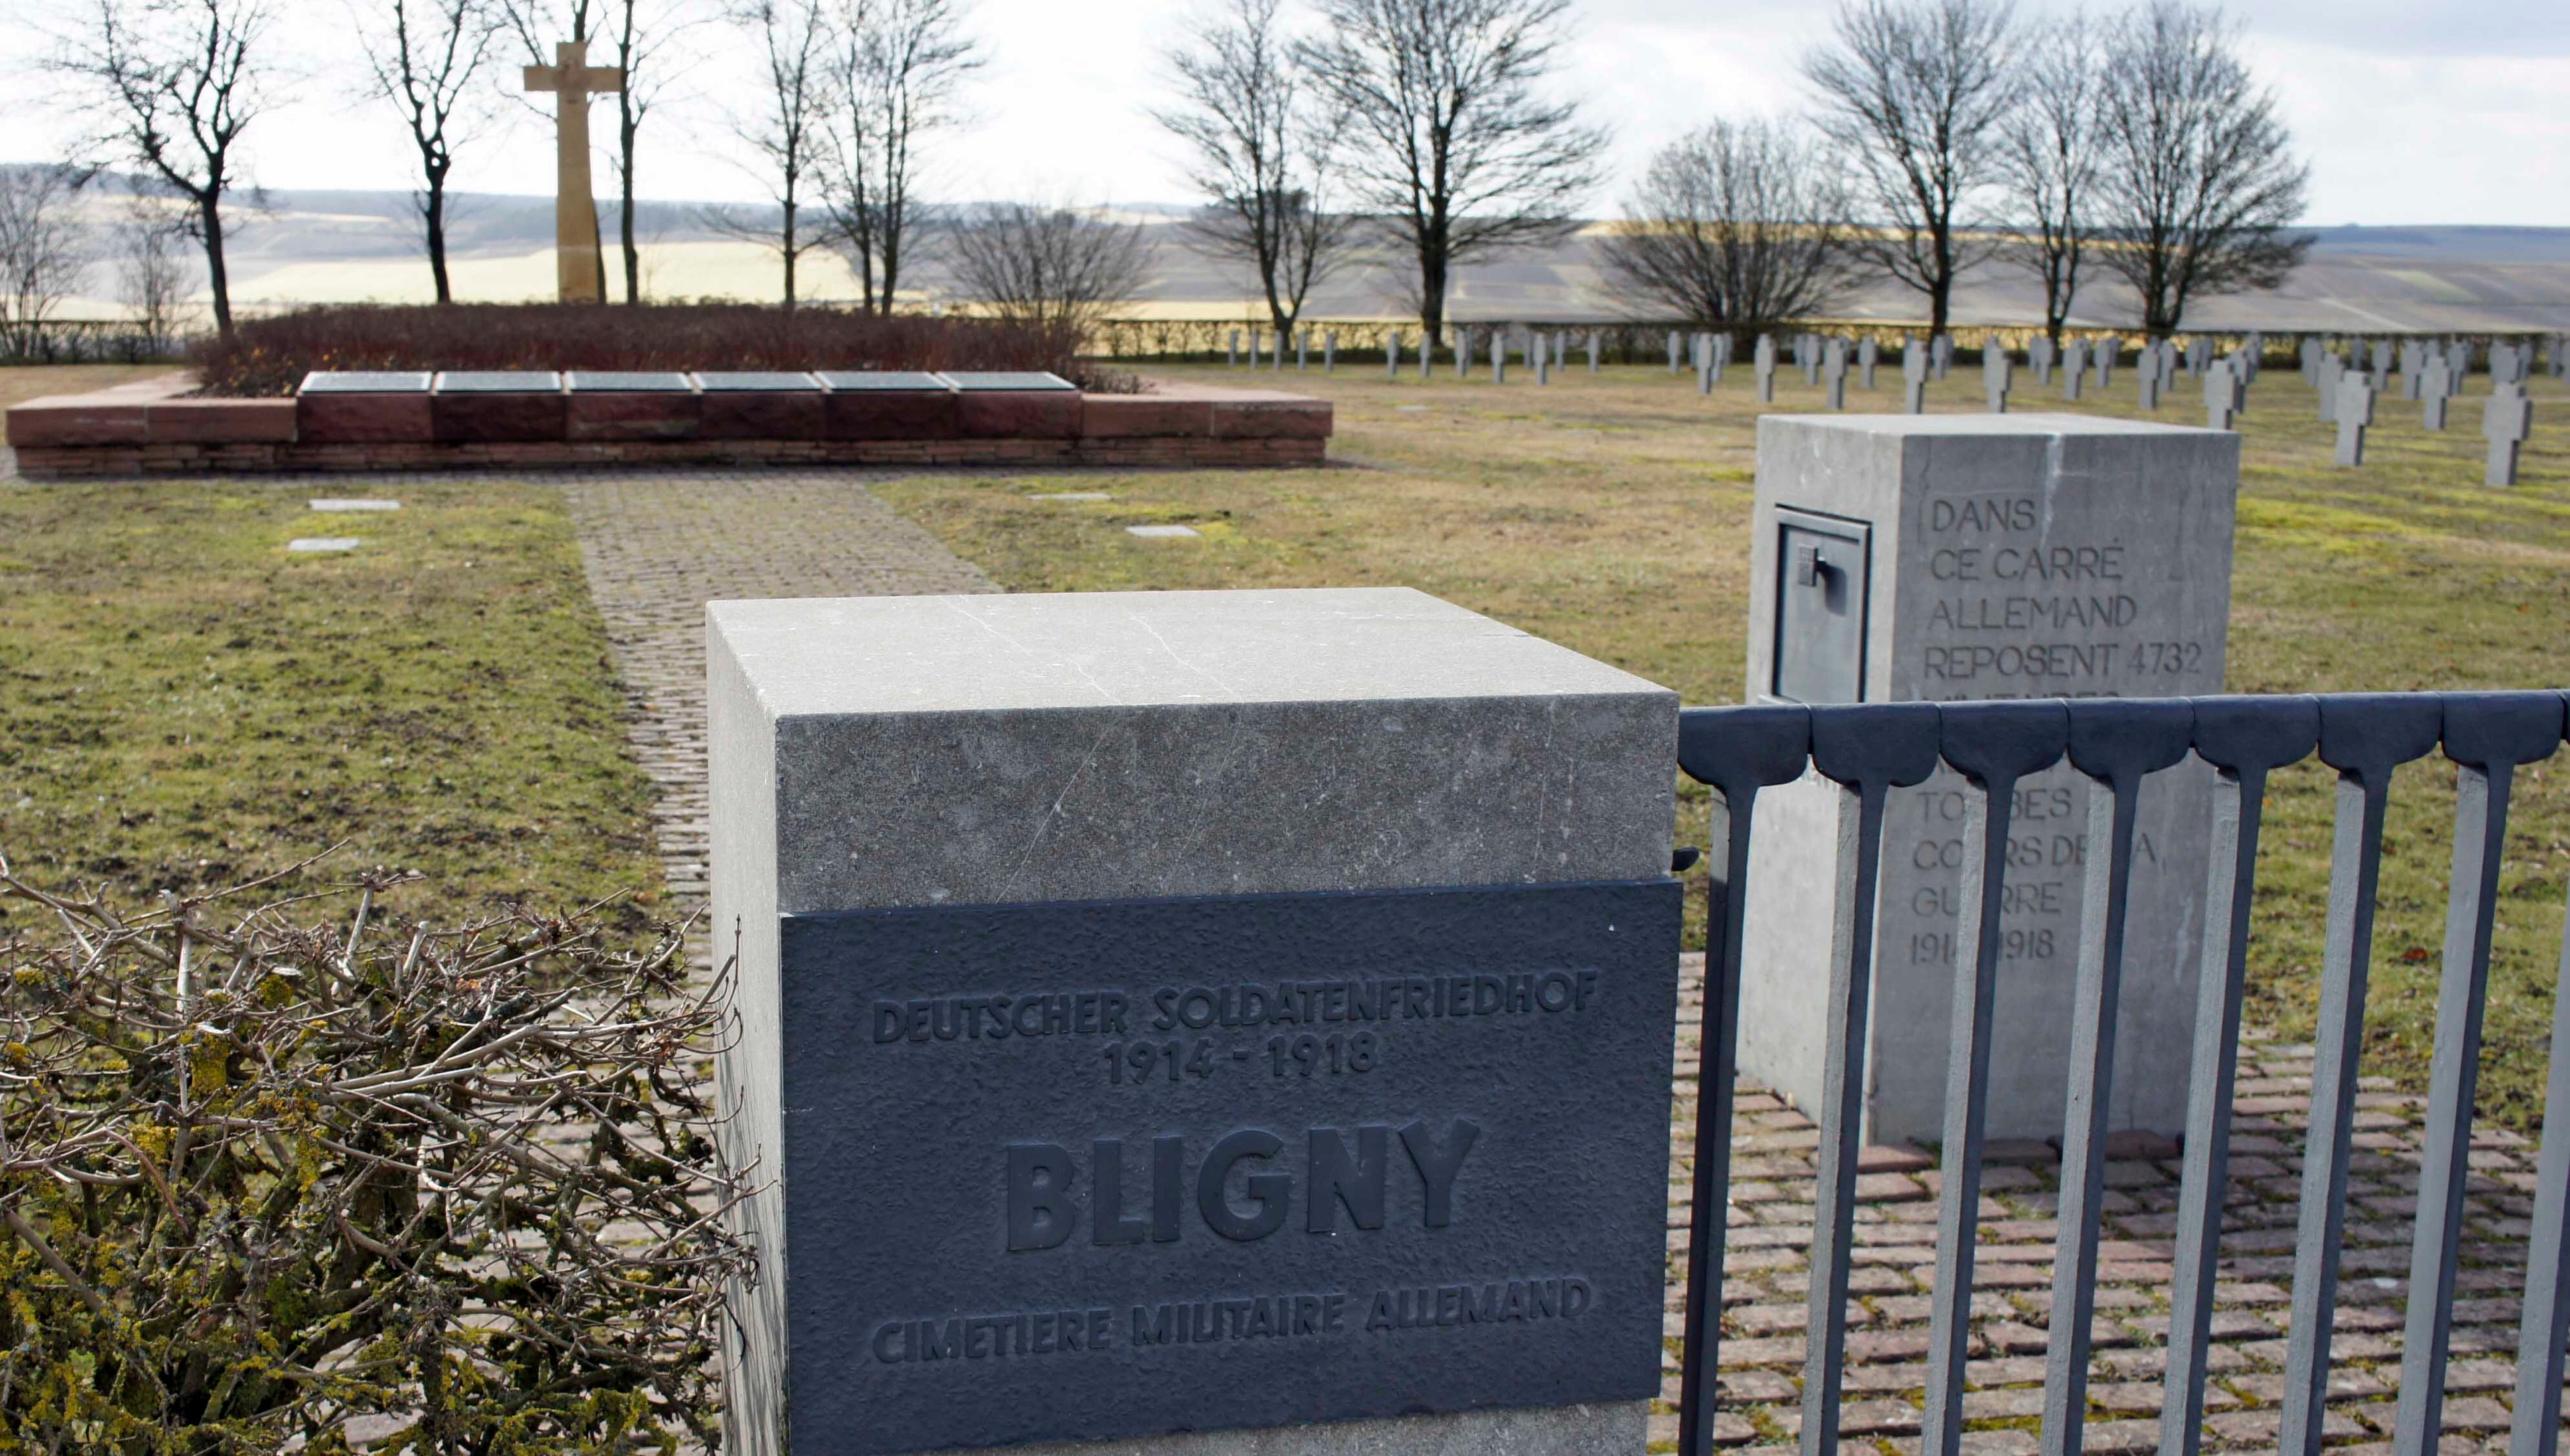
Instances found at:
x=189 y=705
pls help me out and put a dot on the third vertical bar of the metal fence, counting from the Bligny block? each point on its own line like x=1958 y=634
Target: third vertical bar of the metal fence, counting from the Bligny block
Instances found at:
x=1993 y=746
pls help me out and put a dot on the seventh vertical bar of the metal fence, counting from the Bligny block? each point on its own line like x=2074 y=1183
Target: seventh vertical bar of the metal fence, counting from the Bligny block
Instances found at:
x=2486 y=736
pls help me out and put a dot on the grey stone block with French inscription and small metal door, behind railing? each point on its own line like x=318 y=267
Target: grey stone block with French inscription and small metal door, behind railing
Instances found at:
x=1952 y=559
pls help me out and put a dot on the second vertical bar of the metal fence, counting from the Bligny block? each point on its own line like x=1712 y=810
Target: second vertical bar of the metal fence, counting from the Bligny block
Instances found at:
x=1867 y=751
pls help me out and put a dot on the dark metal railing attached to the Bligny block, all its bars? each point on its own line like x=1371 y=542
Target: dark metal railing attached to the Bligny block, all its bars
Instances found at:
x=2116 y=746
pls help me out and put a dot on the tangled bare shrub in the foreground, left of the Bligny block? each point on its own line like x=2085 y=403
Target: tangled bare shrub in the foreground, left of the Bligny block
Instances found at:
x=261 y=1177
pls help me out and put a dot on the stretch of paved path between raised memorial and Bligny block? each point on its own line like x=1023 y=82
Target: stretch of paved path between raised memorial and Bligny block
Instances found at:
x=659 y=546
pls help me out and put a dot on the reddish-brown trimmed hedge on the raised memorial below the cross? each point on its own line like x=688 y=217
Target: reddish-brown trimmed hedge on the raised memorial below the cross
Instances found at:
x=269 y=358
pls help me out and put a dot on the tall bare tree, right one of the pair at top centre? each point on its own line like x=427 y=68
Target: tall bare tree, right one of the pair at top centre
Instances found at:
x=1451 y=140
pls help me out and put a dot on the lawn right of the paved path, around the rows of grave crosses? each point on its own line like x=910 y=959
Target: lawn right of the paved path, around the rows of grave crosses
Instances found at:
x=1613 y=515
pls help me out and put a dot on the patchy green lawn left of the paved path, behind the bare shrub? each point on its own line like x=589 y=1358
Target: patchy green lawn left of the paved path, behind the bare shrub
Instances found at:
x=186 y=705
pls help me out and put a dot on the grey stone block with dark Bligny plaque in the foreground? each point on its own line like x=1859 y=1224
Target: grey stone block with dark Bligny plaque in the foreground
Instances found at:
x=1189 y=1013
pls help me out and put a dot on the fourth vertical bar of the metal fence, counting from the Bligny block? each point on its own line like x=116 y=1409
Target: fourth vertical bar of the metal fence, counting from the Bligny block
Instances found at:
x=2116 y=746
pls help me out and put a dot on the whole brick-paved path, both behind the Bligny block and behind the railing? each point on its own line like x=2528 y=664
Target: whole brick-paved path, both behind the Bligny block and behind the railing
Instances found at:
x=662 y=546
